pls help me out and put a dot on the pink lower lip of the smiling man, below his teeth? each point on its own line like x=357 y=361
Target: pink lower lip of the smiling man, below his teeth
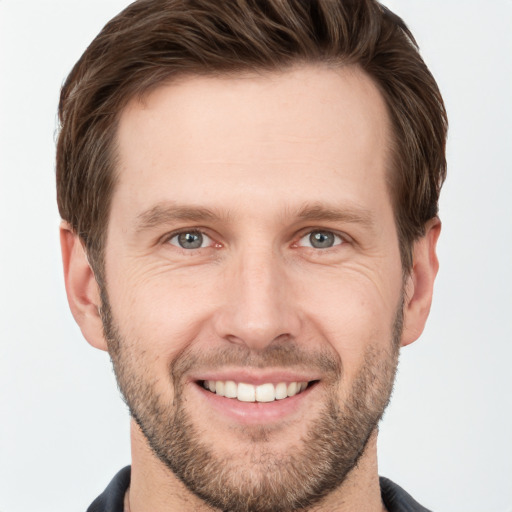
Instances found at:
x=255 y=413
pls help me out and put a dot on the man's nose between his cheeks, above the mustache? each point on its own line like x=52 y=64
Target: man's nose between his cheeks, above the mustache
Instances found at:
x=259 y=305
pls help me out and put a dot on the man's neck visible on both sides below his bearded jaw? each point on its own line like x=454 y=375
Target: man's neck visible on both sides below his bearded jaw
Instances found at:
x=155 y=487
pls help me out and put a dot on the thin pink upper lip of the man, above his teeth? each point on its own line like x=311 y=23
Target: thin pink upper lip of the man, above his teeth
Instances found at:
x=256 y=376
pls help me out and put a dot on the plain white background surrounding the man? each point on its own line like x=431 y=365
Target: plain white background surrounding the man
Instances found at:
x=446 y=438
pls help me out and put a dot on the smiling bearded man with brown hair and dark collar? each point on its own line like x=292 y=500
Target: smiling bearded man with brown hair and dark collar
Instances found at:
x=249 y=199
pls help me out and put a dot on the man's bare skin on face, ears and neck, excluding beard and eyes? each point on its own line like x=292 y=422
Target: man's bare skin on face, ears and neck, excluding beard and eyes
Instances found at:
x=273 y=157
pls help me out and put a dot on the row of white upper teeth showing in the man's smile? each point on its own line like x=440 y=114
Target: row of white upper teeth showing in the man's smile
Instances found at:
x=248 y=393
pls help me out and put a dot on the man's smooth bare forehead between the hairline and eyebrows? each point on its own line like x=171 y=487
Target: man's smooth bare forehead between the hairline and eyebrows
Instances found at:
x=226 y=140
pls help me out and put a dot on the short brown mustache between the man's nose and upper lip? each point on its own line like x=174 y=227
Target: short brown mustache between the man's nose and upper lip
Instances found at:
x=280 y=354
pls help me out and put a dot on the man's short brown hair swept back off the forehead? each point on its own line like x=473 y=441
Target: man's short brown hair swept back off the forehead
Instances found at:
x=152 y=41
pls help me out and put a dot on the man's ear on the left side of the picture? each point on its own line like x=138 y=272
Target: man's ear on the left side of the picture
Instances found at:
x=81 y=287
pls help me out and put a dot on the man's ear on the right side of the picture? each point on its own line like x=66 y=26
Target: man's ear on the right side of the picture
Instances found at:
x=420 y=283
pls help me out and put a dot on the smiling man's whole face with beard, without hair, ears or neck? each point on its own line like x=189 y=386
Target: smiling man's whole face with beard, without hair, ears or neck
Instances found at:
x=252 y=243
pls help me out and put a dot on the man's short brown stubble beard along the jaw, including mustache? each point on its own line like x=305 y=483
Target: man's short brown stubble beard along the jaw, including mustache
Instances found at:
x=260 y=480
